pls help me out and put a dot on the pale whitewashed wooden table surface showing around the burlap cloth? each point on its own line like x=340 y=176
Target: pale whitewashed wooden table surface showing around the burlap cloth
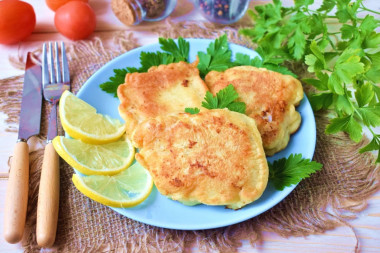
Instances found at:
x=342 y=239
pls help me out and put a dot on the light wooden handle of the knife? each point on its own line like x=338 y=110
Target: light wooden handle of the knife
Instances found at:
x=17 y=194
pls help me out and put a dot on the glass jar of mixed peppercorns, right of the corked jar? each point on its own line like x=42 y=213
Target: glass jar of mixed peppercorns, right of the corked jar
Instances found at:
x=222 y=11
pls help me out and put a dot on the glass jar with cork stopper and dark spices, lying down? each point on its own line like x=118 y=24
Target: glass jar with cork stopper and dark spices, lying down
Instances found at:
x=133 y=12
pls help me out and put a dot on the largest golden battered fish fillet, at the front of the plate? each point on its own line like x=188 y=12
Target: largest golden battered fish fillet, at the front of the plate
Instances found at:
x=214 y=157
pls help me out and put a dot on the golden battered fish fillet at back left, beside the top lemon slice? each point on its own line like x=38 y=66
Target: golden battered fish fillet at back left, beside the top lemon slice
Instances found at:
x=162 y=90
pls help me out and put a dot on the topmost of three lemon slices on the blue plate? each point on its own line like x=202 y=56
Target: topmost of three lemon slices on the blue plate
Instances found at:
x=80 y=121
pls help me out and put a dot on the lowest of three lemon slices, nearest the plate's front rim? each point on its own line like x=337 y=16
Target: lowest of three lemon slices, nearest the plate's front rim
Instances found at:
x=126 y=189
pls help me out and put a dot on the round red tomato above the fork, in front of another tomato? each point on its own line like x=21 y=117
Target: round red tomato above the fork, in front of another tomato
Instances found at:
x=75 y=20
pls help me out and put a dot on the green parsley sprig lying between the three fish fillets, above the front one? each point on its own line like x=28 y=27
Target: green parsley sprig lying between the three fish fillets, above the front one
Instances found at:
x=225 y=98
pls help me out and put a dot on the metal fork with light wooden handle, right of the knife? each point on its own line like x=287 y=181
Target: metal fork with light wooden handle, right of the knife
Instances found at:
x=55 y=81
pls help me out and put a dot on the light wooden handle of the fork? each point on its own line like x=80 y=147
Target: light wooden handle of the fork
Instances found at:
x=48 y=198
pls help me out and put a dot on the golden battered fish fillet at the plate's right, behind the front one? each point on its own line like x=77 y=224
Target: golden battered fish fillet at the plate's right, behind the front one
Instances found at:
x=270 y=97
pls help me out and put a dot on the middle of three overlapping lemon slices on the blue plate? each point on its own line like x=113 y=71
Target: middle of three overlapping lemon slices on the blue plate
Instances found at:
x=90 y=159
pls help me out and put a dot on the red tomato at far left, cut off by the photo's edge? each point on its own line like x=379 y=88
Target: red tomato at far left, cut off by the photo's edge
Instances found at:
x=17 y=21
